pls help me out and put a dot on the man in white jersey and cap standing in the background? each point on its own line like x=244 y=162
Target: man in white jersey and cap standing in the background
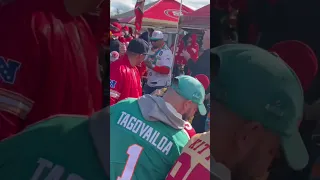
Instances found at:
x=159 y=64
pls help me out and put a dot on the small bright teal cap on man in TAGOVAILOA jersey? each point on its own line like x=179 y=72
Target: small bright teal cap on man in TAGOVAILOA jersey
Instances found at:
x=191 y=89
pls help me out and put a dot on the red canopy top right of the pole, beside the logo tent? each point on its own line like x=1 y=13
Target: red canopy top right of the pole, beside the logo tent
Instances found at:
x=199 y=19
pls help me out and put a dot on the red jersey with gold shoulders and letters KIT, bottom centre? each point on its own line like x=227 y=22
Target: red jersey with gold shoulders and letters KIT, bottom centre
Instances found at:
x=194 y=162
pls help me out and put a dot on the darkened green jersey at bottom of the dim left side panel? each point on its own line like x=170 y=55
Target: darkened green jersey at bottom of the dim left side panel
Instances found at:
x=59 y=148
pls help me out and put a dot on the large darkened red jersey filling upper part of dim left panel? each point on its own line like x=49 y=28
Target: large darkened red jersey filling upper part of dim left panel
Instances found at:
x=59 y=72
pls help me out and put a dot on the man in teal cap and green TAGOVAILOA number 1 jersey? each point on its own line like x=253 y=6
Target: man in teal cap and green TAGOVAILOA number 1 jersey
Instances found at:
x=147 y=134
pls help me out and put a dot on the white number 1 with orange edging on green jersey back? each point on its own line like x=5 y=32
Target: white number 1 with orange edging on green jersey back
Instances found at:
x=134 y=152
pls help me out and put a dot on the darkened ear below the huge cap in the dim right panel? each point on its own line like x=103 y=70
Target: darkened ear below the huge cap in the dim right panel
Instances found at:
x=248 y=135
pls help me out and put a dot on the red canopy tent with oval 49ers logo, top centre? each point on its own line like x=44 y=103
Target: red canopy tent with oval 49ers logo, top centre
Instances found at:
x=163 y=13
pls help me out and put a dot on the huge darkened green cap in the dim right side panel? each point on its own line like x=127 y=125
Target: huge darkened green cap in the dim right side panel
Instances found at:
x=260 y=86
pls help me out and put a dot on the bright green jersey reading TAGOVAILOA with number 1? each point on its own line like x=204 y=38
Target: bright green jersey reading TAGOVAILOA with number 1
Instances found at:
x=141 y=149
